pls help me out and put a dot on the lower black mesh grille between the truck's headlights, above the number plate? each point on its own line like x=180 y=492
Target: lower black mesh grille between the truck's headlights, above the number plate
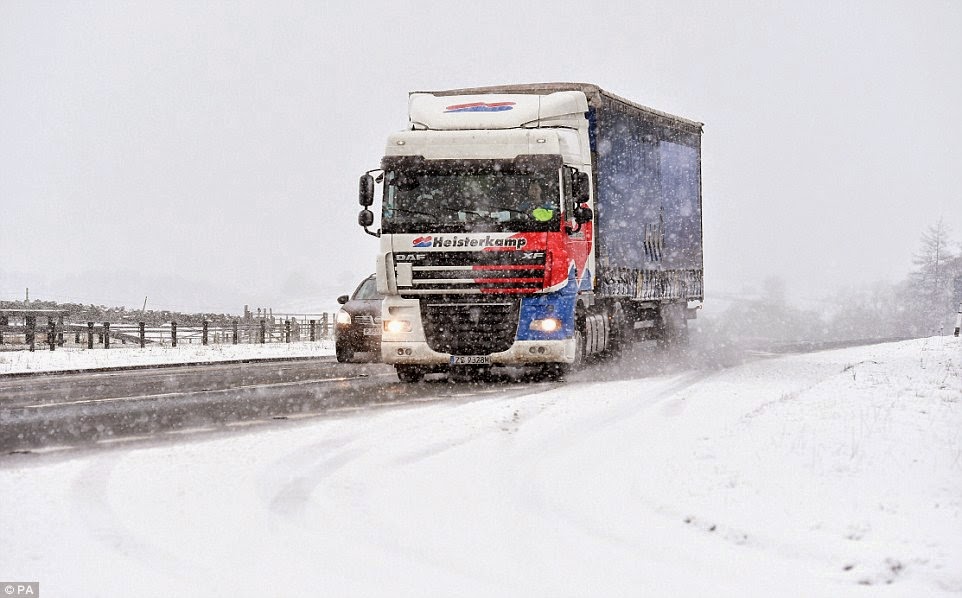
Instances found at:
x=464 y=327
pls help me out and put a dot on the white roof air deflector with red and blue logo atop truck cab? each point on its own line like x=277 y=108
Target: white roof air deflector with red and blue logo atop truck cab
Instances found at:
x=491 y=111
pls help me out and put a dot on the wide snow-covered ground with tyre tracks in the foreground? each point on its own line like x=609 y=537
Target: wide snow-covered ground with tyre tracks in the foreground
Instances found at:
x=827 y=474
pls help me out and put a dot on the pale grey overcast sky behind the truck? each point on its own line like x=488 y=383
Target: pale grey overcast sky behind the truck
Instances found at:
x=206 y=155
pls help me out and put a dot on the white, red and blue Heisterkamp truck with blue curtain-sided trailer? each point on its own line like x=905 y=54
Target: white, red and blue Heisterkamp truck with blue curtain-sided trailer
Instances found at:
x=534 y=226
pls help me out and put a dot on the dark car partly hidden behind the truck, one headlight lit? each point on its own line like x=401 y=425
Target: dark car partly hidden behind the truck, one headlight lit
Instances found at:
x=357 y=327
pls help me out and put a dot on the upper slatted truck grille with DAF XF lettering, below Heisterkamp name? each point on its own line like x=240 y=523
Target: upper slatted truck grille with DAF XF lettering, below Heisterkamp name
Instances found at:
x=473 y=272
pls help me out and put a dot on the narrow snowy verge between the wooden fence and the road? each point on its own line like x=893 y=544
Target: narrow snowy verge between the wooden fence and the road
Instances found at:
x=82 y=359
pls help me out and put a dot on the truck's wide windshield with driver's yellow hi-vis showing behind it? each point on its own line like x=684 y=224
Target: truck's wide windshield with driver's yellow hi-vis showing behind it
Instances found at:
x=417 y=202
